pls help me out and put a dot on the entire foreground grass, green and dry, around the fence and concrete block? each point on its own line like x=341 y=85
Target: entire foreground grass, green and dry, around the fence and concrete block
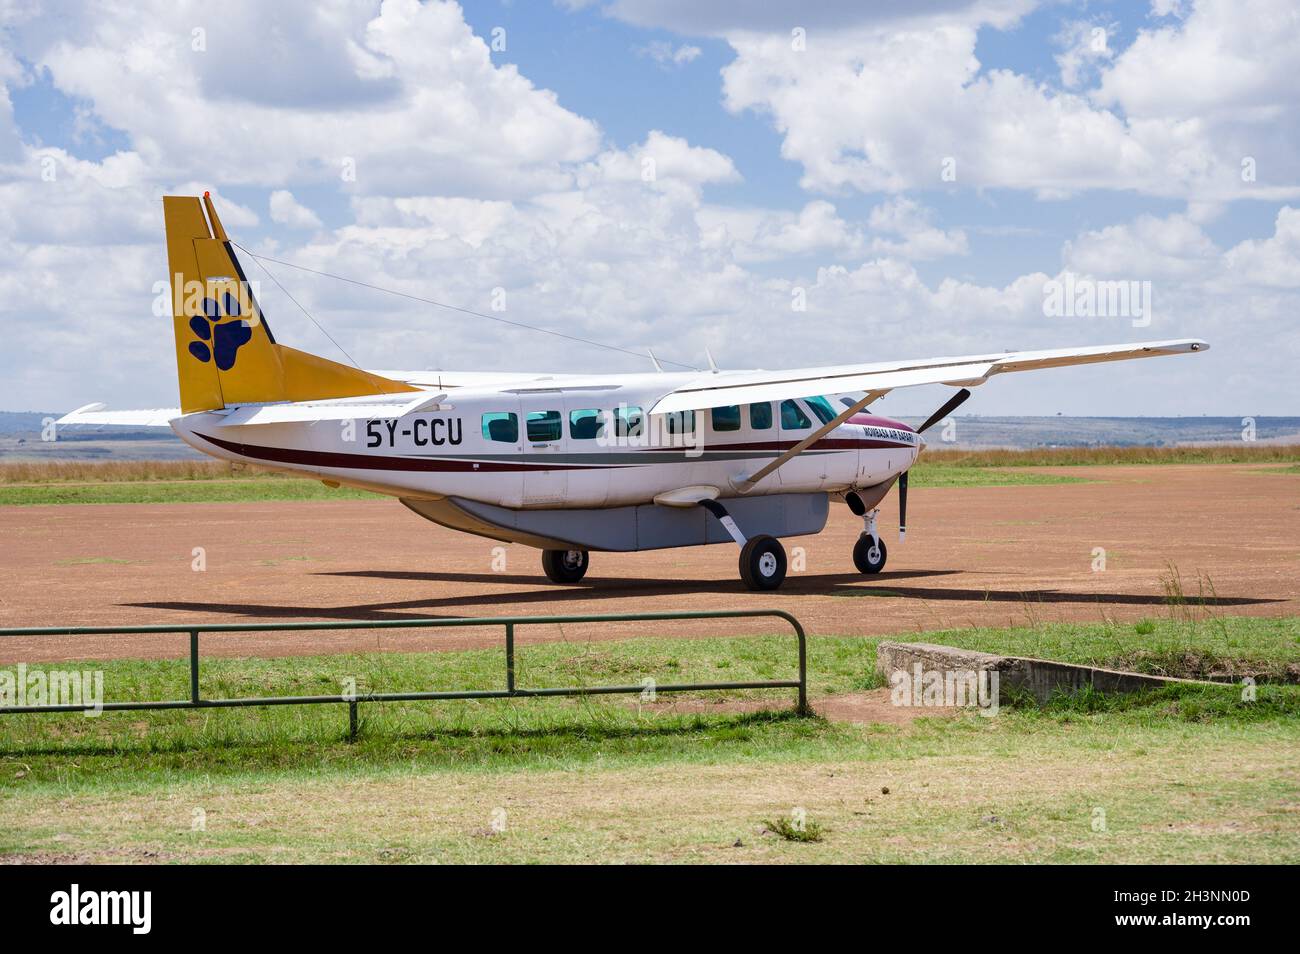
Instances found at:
x=1180 y=774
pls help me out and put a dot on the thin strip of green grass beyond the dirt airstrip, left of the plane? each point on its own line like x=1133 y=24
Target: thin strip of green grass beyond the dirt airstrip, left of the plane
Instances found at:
x=222 y=491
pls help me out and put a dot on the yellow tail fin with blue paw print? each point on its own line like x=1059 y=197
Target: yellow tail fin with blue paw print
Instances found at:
x=226 y=353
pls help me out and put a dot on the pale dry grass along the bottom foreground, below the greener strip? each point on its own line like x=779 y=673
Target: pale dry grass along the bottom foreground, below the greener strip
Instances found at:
x=1033 y=799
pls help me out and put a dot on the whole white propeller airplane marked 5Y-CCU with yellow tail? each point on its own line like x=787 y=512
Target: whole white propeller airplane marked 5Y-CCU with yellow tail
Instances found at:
x=570 y=465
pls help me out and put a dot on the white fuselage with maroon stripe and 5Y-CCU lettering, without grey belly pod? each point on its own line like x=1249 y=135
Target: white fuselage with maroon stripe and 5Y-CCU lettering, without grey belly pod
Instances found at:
x=569 y=444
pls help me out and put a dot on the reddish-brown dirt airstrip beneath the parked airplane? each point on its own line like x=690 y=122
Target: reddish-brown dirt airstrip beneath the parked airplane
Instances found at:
x=974 y=557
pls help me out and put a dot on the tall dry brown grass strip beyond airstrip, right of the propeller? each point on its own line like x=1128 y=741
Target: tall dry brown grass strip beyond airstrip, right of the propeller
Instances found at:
x=1067 y=457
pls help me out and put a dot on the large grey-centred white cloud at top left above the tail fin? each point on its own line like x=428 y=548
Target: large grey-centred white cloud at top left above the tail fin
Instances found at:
x=369 y=99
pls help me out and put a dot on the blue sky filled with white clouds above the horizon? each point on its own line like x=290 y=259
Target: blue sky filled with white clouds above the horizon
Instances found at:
x=786 y=184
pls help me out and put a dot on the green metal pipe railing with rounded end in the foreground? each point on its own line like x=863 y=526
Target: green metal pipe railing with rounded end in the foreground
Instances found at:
x=353 y=703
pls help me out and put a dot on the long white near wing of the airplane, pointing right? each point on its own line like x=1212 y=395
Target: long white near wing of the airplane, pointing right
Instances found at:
x=723 y=389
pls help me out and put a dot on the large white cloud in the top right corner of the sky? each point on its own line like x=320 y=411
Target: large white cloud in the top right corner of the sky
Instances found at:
x=879 y=109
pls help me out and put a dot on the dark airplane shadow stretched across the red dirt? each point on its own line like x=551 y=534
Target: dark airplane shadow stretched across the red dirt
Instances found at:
x=800 y=586
